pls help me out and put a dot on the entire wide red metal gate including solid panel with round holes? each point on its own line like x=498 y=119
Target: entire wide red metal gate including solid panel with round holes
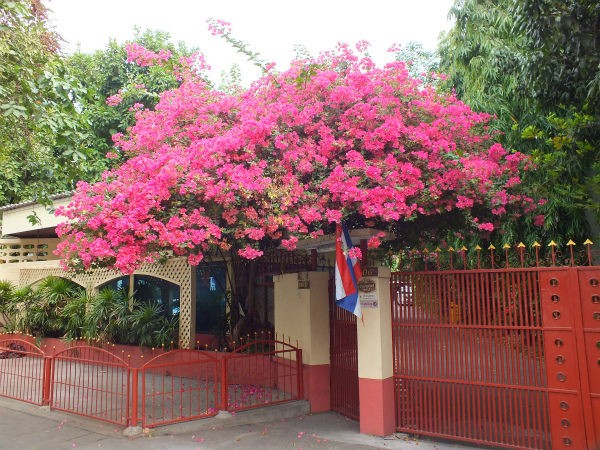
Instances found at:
x=503 y=357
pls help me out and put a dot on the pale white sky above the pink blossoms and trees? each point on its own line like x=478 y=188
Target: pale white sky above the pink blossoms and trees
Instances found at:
x=271 y=27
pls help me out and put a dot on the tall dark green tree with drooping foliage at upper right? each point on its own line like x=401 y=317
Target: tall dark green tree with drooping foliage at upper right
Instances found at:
x=534 y=65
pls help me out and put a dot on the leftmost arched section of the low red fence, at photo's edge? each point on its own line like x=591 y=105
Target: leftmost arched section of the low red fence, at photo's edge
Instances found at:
x=22 y=369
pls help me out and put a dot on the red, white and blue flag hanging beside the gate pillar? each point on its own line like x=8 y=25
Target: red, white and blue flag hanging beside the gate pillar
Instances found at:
x=347 y=272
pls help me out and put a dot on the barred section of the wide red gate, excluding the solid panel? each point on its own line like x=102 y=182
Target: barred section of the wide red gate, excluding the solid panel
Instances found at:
x=469 y=356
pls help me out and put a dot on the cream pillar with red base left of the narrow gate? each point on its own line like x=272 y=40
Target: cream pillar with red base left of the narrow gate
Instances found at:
x=302 y=314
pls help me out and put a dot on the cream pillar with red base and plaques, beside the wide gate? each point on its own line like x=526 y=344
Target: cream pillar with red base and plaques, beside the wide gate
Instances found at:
x=375 y=358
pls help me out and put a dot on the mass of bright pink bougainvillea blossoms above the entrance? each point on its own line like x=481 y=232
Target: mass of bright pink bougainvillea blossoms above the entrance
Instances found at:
x=282 y=160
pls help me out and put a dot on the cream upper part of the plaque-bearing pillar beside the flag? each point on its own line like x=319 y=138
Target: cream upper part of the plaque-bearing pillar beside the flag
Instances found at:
x=375 y=358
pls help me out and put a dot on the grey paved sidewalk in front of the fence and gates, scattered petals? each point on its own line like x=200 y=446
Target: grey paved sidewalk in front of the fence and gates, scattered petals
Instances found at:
x=28 y=427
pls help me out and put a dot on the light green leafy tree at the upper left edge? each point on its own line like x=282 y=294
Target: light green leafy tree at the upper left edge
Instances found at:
x=44 y=141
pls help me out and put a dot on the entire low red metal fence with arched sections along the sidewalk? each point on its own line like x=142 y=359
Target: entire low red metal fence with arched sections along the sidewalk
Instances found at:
x=175 y=386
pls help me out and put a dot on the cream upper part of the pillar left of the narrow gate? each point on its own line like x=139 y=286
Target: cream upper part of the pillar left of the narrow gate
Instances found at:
x=303 y=314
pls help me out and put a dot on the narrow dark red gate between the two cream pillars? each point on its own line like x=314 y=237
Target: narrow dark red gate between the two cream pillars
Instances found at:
x=344 y=360
